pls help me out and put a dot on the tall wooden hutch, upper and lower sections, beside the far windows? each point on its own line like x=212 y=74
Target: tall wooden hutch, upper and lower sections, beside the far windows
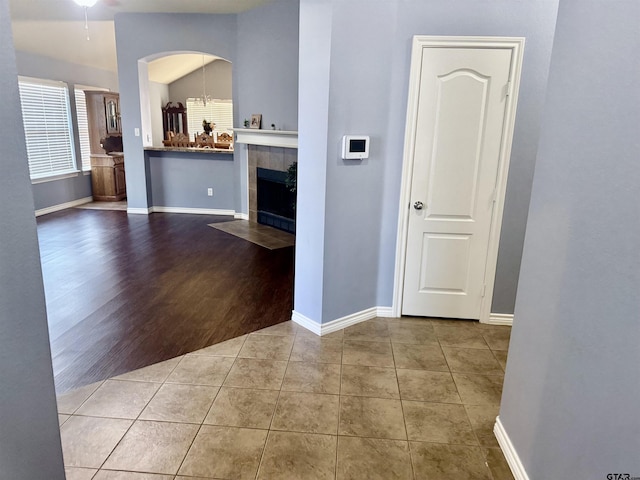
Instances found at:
x=107 y=168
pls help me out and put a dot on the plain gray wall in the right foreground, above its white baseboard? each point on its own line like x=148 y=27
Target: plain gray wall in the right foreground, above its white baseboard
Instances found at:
x=572 y=389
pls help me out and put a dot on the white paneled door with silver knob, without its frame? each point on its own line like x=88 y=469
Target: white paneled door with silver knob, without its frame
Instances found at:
x=457 y=149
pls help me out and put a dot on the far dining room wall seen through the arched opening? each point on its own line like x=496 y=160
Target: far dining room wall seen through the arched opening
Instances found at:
x=219 y=83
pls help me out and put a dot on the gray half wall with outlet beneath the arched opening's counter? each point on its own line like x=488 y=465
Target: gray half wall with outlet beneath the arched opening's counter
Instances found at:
x=182 y=179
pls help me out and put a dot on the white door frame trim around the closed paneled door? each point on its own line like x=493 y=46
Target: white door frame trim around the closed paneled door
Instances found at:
x=420 y=42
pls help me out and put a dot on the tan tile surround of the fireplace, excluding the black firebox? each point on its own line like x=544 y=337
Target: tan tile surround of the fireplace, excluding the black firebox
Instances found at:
x=273 y=158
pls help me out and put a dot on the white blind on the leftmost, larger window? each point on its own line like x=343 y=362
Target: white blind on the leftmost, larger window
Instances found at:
x=47 y=127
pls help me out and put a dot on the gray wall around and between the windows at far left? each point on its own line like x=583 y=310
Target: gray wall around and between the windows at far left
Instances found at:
x=56 y=192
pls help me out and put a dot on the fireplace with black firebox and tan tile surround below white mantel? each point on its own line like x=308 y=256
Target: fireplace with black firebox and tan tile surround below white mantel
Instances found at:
x=270 y=201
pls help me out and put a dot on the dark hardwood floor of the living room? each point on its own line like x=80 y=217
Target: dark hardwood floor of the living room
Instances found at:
x=126 y=291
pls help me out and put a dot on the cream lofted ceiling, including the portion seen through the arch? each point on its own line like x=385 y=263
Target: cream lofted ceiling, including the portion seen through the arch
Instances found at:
x=55 y=28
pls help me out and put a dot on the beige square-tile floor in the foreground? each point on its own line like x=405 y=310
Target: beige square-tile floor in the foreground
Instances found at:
x=385 y=399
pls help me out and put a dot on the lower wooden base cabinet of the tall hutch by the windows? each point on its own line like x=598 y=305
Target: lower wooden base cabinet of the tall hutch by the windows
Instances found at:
x=108 y=178
